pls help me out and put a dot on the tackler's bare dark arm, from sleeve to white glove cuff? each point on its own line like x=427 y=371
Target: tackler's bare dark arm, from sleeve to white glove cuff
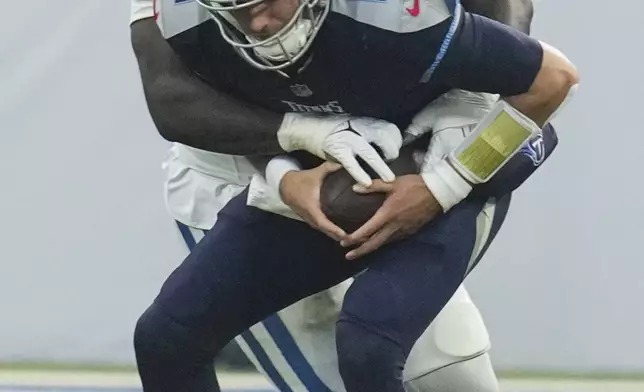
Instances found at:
x=187 y=110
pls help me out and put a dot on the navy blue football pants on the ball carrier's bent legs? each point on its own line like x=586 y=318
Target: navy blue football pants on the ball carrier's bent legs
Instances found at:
x=253 y=263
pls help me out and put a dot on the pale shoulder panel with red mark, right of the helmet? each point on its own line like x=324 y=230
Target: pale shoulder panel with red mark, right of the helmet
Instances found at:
x=400 y=16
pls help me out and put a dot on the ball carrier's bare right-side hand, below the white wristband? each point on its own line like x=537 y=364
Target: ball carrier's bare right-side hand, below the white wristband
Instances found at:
x=409 y=206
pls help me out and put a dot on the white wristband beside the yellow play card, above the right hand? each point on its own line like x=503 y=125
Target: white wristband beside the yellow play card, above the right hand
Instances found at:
x=447 y=186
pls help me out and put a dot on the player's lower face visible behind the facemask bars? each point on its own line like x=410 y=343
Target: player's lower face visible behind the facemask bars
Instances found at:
x=266 y=18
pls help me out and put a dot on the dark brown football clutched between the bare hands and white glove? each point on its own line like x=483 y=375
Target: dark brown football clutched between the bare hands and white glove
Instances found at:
x=350 y=210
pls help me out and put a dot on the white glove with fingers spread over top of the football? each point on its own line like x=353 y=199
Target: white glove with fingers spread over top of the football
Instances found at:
x=343 y=138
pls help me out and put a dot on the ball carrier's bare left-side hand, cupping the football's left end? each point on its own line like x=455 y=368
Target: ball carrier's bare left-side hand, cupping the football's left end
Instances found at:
x=300 y=190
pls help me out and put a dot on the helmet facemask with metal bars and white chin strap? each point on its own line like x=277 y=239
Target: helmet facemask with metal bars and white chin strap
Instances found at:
x=279 y=50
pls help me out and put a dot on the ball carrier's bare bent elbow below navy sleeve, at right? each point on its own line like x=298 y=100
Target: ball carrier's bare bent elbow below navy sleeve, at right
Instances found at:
x=554 y=83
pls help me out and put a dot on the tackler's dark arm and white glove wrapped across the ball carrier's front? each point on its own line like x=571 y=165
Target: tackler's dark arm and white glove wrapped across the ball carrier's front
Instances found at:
x=187 y=110
